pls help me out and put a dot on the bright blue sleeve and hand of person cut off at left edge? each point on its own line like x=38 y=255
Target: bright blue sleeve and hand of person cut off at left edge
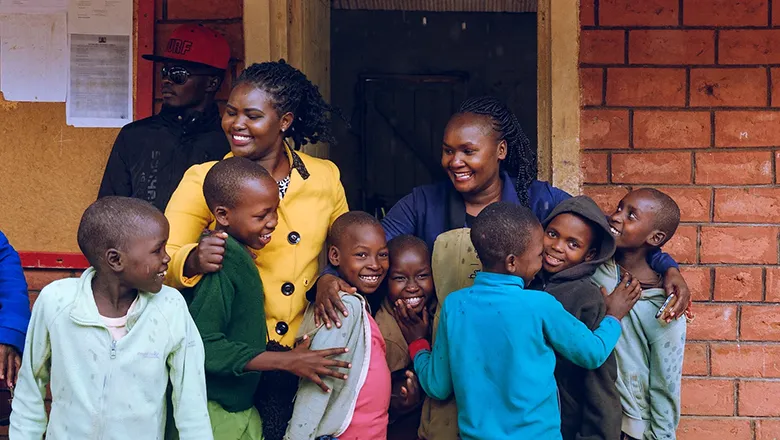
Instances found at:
x=14 y=312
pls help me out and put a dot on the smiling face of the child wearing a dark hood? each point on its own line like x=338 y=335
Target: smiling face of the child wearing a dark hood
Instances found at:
x=567 y=243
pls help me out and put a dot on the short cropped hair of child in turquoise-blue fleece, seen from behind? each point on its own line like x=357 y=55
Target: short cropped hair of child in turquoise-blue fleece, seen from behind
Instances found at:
x=502 y=229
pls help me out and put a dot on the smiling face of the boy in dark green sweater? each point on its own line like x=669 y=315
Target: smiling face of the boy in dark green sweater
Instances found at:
x=254 y=218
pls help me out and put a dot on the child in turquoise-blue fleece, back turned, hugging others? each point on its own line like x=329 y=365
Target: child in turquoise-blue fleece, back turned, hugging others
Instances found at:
x=496 y=341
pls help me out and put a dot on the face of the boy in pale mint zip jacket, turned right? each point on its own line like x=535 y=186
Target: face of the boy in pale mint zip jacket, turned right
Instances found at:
x=144 y=261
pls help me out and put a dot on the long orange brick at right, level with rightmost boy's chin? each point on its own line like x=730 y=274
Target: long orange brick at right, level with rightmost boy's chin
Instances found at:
x=739 y=244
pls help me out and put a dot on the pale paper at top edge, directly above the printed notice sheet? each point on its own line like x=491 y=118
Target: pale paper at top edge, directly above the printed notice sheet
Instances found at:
x=100 y=17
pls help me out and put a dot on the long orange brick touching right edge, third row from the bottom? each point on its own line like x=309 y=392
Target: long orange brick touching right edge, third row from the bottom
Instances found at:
x=745 y=360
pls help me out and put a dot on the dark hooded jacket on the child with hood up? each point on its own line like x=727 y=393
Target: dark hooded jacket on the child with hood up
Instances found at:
x=590 y=403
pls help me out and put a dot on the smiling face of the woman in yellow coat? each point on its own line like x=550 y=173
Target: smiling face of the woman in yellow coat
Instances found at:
x=252 y=125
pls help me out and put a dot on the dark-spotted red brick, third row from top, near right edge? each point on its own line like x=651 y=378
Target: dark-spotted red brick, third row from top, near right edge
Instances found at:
x=728 y=87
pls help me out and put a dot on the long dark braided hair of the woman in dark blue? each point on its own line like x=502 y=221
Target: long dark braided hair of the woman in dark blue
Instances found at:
x=520 y=162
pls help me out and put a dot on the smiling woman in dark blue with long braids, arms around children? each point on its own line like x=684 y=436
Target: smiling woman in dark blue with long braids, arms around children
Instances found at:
x=488 y=159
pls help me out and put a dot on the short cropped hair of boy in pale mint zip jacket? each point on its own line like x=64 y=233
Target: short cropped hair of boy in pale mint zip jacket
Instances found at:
x=112 y=222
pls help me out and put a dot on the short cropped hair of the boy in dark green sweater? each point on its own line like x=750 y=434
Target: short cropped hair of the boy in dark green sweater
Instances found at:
x=223 y=182
